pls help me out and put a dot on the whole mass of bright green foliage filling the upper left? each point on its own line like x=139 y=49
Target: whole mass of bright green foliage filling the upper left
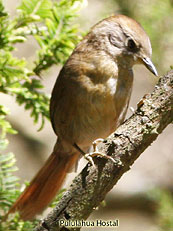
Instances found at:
x=50 y=23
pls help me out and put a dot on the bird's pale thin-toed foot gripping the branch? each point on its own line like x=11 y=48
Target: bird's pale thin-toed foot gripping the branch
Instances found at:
x=97 y=153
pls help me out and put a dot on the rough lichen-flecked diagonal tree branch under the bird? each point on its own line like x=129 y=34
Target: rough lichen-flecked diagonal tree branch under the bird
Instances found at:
x=89 y=188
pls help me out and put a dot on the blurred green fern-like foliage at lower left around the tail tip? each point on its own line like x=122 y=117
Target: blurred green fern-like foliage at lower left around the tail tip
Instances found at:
x=9 y=192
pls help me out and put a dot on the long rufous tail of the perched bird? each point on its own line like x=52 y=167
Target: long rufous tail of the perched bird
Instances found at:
x=44 y=186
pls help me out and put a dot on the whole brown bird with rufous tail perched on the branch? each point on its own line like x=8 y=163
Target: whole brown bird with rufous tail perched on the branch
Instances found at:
x=89 y=101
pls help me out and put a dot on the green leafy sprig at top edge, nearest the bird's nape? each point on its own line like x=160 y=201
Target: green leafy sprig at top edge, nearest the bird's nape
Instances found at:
x=59 y=41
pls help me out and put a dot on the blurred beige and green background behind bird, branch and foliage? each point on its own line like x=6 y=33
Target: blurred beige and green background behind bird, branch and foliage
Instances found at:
x=133 y=199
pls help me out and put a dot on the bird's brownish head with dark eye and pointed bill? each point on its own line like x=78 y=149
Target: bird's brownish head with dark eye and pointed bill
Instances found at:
x=124 y=38
